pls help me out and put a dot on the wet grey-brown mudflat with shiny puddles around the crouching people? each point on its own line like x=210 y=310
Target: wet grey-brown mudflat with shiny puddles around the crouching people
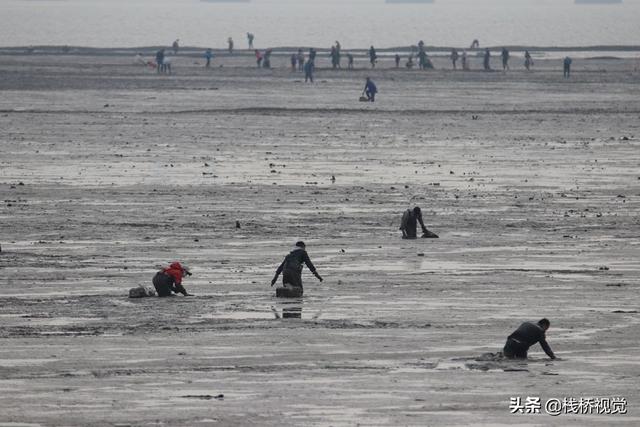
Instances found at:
x=108 y=171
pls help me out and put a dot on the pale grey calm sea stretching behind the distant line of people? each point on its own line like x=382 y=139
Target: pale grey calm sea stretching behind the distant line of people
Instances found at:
x=356 y=23
